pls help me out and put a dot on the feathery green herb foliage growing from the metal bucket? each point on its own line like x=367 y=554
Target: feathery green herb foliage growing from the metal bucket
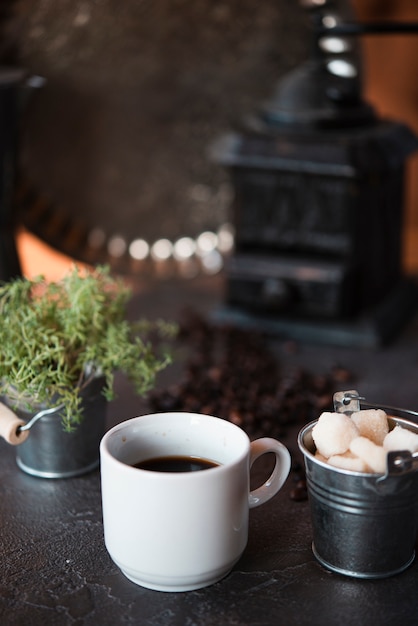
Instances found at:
x=56 y=336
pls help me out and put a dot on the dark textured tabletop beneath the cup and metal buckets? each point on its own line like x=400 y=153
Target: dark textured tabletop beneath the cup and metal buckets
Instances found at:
x=54 y=567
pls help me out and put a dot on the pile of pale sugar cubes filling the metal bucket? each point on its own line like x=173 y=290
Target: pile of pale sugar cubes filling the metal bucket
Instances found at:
x=360 y=442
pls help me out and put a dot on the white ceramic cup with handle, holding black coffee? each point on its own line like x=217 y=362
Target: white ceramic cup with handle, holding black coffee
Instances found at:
x=181 y=531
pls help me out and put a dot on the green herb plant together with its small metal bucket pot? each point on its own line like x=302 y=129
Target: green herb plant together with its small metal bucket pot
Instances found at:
x=61 y=345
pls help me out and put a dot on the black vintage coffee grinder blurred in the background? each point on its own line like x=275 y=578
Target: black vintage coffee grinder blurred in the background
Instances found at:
x=319 y=193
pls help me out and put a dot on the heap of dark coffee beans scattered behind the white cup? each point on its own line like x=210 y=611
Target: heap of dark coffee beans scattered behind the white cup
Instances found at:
x=232 y=373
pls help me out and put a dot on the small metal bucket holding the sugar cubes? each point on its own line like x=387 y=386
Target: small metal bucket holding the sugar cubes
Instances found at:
x=363 y=525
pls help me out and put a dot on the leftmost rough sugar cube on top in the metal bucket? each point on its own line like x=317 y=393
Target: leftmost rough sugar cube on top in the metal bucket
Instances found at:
x=333 y=433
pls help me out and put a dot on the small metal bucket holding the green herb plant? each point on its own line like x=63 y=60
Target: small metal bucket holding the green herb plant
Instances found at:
x=50 y=452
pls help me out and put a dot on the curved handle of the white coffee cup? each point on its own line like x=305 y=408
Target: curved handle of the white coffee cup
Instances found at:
x=280 y=472
